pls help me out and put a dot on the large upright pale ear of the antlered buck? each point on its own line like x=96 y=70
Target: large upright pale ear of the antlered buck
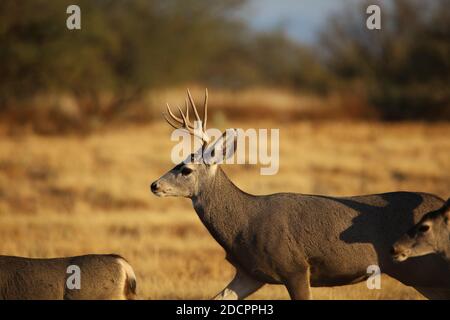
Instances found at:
x=222 y=149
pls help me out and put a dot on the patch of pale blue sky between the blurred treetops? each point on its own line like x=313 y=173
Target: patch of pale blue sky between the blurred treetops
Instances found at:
x=301 y=19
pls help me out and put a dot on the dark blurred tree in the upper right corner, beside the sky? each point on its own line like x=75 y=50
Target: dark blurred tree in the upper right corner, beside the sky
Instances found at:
x=404 y=68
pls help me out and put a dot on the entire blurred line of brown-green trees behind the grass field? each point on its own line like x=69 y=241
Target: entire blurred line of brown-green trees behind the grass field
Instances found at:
x=126 y=48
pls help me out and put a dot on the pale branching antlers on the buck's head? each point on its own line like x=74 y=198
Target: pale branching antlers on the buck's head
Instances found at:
x=185 y=123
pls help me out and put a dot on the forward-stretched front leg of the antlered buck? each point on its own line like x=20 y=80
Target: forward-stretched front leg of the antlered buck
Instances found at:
x=239 y=288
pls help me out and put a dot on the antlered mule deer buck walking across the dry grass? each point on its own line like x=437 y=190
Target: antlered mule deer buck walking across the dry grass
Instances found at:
x=297 y=240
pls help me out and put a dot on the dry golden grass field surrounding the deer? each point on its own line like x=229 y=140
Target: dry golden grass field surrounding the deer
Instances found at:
x=73 y=195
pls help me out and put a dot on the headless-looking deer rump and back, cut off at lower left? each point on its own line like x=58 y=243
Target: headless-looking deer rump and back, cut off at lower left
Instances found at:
x=101 y=277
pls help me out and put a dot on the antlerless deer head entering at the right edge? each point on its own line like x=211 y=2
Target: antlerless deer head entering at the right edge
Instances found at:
x=430 y=235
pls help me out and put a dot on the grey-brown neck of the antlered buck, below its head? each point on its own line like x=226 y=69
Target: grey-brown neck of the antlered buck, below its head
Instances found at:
x=223 y=208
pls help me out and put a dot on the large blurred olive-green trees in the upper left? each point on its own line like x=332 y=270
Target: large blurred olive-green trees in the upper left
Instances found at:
x=124 y=47
